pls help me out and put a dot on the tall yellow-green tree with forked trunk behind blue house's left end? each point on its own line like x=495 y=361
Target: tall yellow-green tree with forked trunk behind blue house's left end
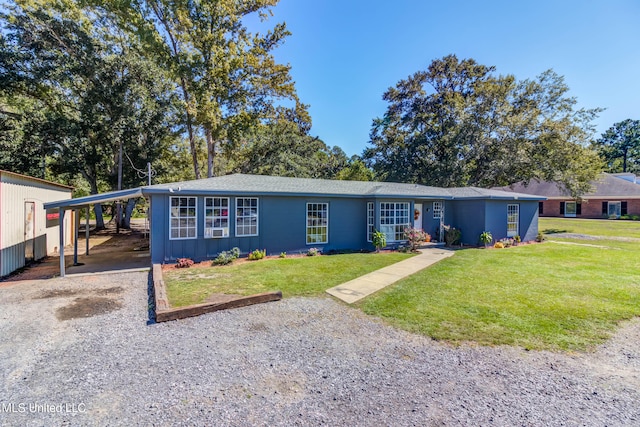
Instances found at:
x=228 y=76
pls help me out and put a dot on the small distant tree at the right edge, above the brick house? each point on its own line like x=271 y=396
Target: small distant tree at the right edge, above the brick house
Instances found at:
x=620 y=146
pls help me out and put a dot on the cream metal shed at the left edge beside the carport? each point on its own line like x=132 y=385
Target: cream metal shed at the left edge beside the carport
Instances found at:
x=28 y=231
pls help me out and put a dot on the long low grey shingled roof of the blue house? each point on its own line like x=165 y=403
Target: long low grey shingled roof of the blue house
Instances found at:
x=263 y=185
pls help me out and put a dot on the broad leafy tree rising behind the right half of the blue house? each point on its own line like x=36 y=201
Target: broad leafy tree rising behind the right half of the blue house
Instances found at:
x=459 y=124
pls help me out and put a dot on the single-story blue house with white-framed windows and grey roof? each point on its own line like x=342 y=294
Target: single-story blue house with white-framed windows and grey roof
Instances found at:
x=199 y=219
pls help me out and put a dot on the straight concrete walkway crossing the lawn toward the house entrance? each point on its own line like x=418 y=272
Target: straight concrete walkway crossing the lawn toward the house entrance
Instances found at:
x=356 y=289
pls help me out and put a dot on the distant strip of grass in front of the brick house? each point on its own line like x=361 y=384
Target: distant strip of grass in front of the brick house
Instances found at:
x=594 y=227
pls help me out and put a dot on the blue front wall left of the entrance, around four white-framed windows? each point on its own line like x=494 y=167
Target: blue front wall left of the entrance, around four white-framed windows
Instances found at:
x=281 y=228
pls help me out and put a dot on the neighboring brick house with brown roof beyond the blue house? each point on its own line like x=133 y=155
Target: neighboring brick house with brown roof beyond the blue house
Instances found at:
x=611 y=197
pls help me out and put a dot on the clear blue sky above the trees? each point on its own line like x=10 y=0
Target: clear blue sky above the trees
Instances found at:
x=345 y=53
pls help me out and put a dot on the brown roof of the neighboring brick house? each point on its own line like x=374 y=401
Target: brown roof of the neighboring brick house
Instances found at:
x=606 y=186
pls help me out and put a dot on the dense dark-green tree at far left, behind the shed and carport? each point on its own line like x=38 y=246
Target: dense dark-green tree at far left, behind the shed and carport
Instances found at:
x=96 y=92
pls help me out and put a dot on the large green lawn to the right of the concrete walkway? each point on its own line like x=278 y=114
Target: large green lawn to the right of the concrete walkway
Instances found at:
x=544 y=296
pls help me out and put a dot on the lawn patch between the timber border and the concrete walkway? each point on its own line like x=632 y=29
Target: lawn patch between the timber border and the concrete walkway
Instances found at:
x=306 y=276
